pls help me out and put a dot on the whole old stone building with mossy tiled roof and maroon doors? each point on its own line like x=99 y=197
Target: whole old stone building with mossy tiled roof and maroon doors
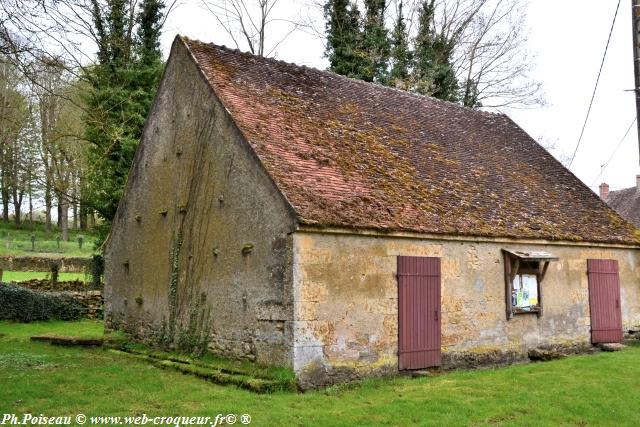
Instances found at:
x=296 y=217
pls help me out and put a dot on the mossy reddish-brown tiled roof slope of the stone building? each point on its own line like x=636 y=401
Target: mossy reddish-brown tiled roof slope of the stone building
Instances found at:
x=351 y=154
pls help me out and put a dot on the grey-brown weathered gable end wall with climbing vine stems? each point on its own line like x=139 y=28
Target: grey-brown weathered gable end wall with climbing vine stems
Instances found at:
x=200 y=251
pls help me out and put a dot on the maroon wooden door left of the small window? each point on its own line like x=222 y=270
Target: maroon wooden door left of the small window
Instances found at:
x=418 y=312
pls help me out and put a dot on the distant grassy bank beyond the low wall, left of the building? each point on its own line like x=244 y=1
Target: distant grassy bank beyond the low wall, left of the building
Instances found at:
x=18 y=241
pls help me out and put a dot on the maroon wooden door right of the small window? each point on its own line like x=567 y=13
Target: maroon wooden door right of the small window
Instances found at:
x=604 y=300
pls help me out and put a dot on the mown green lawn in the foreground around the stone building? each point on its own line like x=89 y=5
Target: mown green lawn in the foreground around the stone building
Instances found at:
x=35 y=377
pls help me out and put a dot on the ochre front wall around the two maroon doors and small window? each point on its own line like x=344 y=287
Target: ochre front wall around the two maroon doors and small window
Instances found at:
x=346 y=312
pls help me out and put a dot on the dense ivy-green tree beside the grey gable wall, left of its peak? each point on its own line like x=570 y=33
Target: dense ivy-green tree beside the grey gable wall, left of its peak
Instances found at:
x=122 y=87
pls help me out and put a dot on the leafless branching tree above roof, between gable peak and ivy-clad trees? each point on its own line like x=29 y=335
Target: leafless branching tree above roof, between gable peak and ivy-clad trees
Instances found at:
x=248 y=23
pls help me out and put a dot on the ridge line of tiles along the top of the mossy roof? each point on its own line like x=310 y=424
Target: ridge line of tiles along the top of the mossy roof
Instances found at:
x=340 y=76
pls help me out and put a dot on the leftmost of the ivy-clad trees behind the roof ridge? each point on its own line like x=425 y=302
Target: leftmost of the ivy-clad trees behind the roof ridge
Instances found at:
x=343 y=38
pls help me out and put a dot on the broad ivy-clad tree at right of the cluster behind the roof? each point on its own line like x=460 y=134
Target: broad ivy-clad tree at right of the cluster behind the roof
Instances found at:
x=433 y=72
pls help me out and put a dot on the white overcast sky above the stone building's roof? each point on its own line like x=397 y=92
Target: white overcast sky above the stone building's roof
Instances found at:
x=568 y=37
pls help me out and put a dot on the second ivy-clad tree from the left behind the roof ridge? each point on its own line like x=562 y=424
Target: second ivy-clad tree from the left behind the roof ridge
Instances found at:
x=376 y=45
